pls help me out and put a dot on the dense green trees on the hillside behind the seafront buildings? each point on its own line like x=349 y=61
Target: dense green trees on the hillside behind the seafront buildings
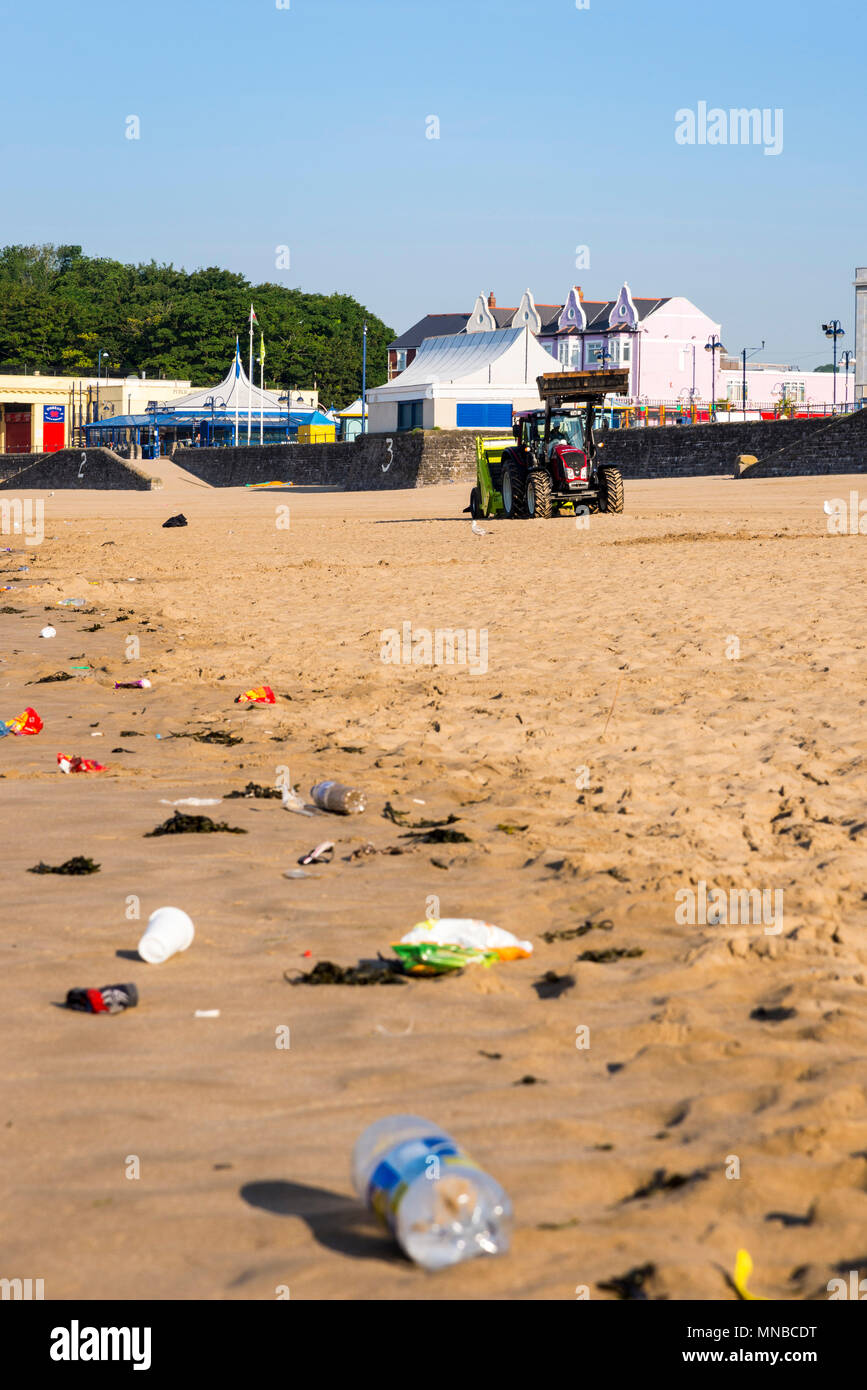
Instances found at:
x=59 y=308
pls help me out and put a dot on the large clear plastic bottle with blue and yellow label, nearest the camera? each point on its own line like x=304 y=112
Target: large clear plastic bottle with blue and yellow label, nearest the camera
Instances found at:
x=440 y=1206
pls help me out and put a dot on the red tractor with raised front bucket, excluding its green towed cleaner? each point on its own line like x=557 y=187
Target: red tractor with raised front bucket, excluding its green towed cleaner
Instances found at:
x=555 y=462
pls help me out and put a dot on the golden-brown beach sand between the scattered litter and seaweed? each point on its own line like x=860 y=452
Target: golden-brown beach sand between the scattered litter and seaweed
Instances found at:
x=745 y=774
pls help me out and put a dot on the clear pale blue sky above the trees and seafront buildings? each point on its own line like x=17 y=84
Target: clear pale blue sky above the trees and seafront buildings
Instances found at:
x=263 y=127
